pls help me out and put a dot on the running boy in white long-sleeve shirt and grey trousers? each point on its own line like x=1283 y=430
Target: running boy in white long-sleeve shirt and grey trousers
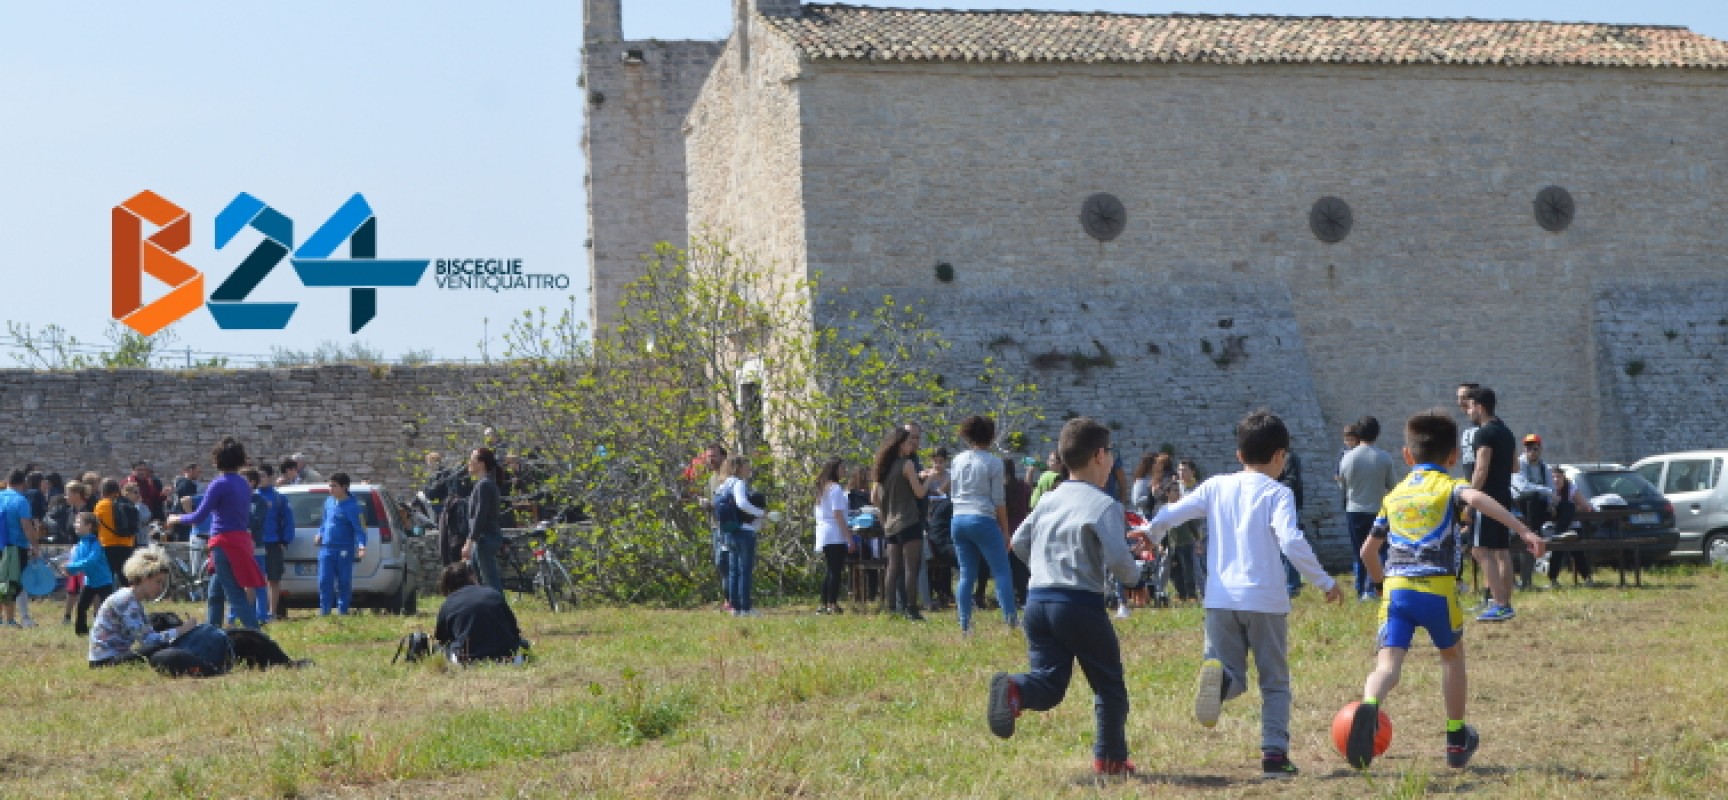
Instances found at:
x=1254 y=523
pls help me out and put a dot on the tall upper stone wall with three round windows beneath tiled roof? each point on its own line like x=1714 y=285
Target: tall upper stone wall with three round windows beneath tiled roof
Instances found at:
x=1445 y=277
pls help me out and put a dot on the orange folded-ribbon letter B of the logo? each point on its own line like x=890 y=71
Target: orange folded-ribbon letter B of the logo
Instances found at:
x=137 y=257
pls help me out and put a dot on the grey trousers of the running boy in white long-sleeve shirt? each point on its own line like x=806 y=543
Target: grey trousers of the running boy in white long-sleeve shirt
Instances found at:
x=1229 y=638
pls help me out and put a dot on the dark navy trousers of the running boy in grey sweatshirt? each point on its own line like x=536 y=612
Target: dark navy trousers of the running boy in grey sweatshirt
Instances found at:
x=1062 y=633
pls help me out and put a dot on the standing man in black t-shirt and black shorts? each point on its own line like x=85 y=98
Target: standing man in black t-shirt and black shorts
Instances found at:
x=1496 y=462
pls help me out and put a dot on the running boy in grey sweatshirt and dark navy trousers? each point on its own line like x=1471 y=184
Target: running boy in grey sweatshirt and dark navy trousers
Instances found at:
x=1072 y=543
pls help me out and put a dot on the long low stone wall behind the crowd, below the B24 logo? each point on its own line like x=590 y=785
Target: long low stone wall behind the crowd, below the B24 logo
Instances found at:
x=369 y=422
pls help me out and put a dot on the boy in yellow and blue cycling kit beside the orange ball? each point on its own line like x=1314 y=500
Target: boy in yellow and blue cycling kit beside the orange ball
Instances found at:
x=1420 y=526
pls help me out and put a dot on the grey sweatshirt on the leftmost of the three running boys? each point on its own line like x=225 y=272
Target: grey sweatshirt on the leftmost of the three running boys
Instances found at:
x=1076 y=540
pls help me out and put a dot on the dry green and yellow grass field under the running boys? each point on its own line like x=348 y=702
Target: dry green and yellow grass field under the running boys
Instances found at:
x=1589 y=694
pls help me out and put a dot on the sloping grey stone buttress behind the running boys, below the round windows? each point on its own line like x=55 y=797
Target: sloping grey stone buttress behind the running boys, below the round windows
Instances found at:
x=1195 y=360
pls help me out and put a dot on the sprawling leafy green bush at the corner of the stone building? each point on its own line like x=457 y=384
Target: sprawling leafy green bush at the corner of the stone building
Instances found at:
x=713 y=346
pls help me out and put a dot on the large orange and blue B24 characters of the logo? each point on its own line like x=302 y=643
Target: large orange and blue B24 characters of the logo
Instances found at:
x=362 y=274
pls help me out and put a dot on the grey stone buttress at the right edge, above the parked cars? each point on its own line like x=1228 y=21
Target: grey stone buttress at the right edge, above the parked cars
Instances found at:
x=1658 y=362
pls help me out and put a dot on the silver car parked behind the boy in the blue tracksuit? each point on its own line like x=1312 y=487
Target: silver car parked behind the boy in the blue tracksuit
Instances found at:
x=383 y=580
